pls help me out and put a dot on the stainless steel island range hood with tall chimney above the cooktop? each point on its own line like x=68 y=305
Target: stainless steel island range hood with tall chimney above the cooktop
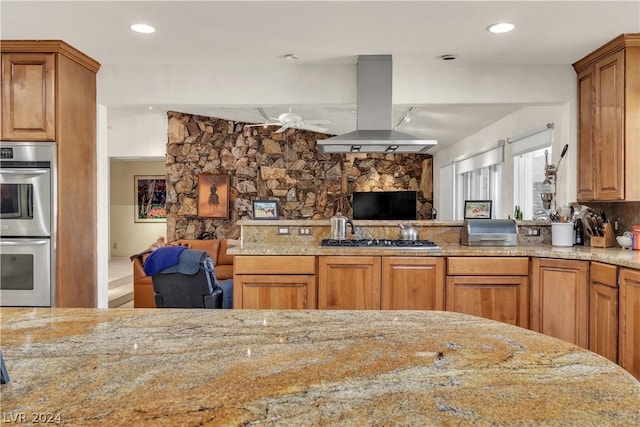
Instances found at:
x=374 y=133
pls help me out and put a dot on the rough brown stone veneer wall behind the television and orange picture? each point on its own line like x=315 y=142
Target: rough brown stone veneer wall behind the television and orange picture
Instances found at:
x=263 y=165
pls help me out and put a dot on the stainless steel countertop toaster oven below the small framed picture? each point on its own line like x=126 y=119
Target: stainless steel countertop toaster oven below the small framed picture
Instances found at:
x=489 y=232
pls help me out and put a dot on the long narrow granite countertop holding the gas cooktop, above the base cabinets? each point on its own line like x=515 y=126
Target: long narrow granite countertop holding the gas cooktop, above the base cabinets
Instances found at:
x=615 y=256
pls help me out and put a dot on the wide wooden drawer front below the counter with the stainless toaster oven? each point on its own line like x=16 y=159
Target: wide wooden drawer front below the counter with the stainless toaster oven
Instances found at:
x=488 y=266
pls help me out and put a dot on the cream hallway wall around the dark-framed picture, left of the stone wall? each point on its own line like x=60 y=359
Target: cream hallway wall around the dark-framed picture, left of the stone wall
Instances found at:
x=129 y=237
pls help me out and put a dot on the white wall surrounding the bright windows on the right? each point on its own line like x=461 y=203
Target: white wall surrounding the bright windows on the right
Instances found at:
x=521 y=121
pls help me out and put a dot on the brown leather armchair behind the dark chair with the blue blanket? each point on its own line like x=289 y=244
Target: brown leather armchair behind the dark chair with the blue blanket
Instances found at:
x=217 y=250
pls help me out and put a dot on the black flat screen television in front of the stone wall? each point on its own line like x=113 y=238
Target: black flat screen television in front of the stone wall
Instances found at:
x=385 y=205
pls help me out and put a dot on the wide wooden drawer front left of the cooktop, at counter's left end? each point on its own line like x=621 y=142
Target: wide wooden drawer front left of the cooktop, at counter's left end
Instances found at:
x=274 y=265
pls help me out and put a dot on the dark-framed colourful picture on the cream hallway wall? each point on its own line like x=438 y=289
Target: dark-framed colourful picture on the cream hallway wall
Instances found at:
x=151 y=195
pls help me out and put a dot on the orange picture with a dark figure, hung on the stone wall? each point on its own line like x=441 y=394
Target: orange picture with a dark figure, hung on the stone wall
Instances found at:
x=213 y=196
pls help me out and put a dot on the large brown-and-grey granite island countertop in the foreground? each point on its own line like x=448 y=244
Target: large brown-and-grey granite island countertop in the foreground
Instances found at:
x=238 y=367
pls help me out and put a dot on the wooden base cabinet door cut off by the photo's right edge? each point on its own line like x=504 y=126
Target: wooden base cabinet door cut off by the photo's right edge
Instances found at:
x=629 y=356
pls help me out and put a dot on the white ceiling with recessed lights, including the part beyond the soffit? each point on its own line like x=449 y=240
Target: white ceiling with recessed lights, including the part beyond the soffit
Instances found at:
x=248 y=33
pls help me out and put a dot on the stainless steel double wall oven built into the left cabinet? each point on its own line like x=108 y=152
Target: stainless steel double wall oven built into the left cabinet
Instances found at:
x=27 y=224
